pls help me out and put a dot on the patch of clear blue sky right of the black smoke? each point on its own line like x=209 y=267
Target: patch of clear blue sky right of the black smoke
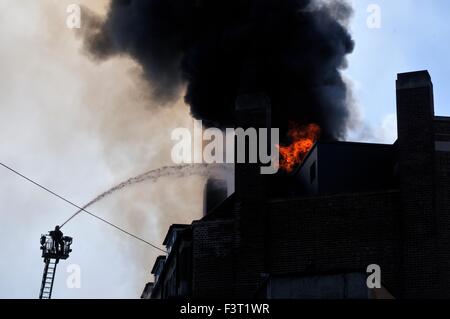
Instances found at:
x=414 y=35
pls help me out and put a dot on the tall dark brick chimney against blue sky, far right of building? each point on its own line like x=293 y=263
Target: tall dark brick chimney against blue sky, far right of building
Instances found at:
x=415 y=116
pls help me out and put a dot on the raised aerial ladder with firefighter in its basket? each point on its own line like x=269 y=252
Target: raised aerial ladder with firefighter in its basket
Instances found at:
x=55 y=247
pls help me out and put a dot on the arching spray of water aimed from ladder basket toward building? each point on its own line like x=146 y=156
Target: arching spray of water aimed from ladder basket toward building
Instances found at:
x=153 y=176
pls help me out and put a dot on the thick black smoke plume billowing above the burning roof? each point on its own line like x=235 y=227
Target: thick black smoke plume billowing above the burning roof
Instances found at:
x=293 y=50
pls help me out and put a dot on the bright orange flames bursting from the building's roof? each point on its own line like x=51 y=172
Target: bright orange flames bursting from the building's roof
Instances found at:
x=303 y=139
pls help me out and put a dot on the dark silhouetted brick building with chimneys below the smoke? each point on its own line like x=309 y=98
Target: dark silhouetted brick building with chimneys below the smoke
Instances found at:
x=312 y=234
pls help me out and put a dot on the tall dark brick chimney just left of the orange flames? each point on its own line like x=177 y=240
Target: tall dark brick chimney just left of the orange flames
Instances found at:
x=253 y=110
